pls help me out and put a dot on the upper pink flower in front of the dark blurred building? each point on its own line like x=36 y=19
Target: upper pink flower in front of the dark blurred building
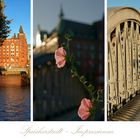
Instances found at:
x=60 y=57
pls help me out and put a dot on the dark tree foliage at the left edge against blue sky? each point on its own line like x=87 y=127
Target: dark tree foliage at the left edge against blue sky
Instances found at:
x=4 y=24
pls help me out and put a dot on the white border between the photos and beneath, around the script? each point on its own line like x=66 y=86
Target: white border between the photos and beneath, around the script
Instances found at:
x=127 y=129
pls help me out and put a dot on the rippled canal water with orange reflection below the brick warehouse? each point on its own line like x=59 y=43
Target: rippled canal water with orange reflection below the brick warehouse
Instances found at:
x=14 y=99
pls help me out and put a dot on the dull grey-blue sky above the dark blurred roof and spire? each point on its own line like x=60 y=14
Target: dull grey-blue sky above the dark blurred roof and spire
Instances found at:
x=45 y=12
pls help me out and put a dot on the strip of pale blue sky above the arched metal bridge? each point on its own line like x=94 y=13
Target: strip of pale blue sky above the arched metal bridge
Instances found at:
x=130 y=3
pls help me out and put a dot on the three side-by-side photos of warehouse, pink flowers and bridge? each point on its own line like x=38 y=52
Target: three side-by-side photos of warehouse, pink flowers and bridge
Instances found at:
x=55 y=68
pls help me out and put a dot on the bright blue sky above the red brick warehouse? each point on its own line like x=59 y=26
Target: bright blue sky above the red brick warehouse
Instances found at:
x=19 y=11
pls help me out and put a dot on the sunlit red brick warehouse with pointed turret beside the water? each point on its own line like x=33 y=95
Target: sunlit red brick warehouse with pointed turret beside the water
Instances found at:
x=14 y=51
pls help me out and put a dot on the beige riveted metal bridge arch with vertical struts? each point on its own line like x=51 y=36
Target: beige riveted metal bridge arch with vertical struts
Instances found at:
x=123 y=85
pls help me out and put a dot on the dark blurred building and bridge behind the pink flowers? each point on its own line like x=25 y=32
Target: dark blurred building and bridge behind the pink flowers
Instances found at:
x=58 y=95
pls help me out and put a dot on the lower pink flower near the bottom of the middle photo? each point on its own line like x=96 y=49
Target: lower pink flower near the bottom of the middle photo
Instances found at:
x=84 y=109
